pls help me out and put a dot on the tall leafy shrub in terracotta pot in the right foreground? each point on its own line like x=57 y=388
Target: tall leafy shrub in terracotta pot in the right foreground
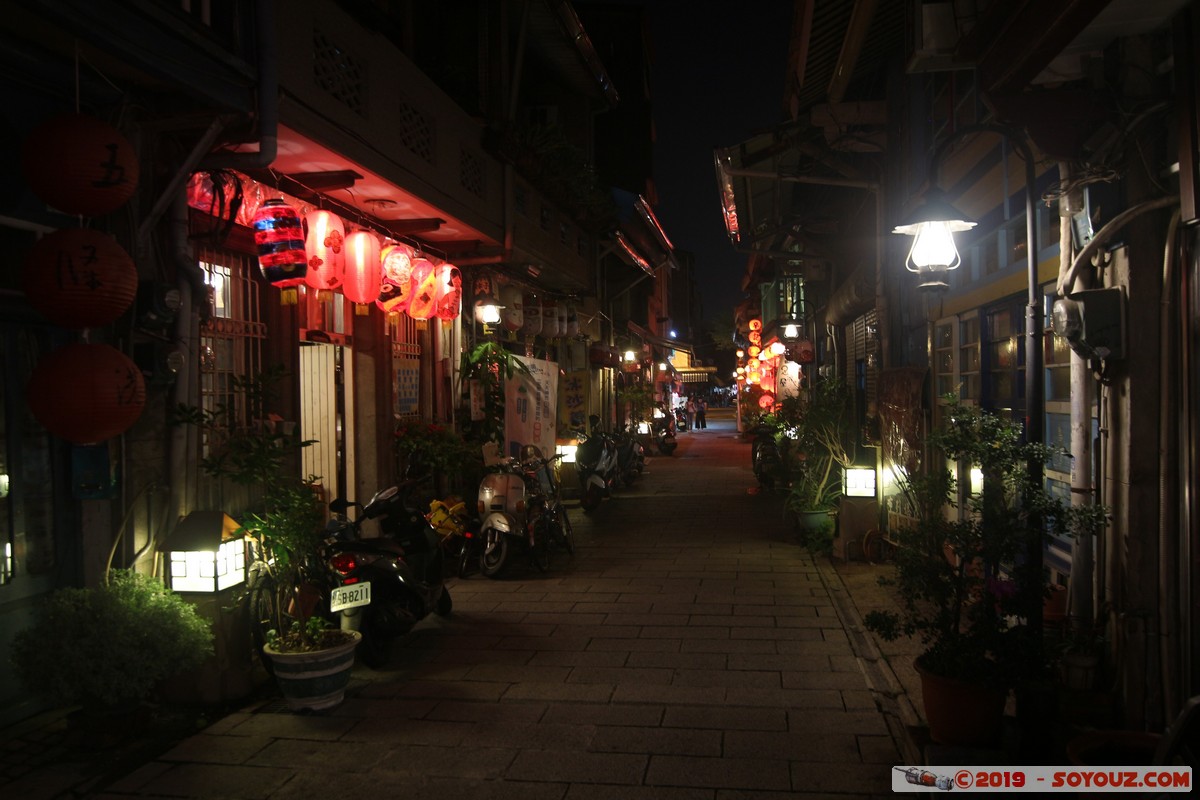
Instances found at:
x=962 y=582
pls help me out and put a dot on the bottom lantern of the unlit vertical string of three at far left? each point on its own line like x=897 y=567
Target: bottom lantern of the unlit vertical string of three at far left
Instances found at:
x=87 y=394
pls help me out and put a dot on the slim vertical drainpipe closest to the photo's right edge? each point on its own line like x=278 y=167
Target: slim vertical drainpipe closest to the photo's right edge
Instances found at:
x=1168 y=507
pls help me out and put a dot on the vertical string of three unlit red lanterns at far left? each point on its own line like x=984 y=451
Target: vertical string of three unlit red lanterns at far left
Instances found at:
x=81 y=279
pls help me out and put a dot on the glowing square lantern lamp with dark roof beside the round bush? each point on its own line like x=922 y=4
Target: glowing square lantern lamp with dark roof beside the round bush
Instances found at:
x=206 y=554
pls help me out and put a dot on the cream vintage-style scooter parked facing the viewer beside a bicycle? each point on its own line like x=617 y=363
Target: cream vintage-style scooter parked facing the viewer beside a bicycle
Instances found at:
x=511 y=501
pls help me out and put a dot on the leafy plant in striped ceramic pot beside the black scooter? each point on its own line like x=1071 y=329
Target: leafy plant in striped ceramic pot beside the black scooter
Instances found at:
x=309 y=658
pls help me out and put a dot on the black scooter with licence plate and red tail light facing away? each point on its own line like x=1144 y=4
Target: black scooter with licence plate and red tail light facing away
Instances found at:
x=386 y=585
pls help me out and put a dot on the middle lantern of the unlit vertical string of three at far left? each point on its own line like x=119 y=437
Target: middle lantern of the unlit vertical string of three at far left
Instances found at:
x=80 y=279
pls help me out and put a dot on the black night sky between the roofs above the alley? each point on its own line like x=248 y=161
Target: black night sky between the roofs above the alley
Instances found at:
x=718 y=80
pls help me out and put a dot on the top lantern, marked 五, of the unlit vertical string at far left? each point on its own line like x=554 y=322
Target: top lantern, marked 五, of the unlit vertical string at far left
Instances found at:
x=80 y=165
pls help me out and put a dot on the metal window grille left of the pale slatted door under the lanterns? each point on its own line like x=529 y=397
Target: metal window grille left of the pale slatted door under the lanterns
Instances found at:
x=231 y=346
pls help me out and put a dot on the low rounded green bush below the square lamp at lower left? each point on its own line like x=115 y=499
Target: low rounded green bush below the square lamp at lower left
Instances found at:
x=107 y=648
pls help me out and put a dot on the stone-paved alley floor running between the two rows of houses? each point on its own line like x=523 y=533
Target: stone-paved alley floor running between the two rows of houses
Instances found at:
x=691 y=651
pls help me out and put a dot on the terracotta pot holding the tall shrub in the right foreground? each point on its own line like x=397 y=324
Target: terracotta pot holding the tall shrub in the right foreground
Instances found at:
x=959 y=712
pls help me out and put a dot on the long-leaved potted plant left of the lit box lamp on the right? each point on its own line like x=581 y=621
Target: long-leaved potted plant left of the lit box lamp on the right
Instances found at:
x=817 y=434
